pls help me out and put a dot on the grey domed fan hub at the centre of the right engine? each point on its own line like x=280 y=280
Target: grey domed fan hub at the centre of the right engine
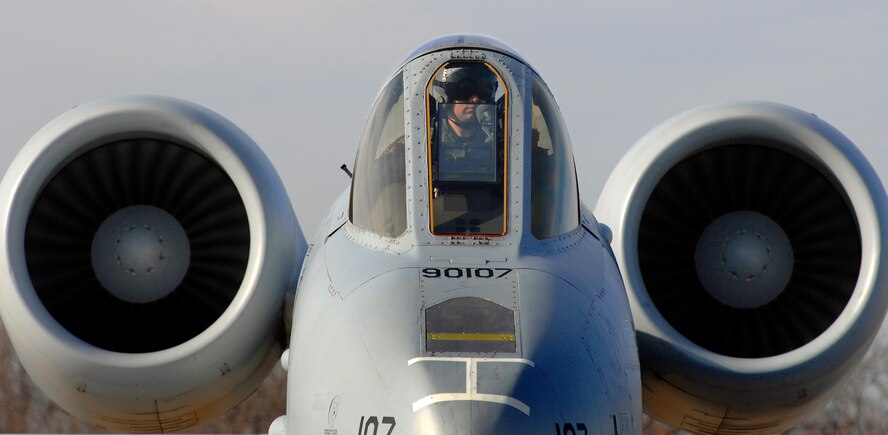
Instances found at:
x=744 y=259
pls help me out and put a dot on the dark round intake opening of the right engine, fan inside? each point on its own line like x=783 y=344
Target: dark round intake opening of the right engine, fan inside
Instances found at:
x=747 y=175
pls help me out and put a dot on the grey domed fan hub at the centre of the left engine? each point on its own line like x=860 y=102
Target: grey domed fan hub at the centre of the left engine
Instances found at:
x=140 y=254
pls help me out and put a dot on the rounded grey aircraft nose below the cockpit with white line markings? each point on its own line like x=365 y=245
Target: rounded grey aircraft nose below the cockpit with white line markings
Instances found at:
x=380 y=325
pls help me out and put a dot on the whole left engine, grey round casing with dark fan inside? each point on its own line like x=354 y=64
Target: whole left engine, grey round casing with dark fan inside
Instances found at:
x=148 y=246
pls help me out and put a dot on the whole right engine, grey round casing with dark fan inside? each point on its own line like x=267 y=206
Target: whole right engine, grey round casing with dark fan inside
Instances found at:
x=751 y=237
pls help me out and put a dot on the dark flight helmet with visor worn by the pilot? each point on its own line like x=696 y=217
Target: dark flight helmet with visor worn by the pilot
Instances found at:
x=459 y=82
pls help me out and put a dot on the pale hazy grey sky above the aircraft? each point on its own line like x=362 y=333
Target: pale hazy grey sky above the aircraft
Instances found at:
x=300 y=76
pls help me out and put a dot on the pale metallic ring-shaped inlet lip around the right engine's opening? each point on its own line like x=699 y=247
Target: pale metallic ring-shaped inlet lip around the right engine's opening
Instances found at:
x=803 y=135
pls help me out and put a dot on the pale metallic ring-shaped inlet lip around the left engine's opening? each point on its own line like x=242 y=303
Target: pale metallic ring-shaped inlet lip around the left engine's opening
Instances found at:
x=119 y=118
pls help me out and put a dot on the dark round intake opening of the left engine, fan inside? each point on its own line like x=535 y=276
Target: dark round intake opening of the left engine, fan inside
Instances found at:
x=62 y=245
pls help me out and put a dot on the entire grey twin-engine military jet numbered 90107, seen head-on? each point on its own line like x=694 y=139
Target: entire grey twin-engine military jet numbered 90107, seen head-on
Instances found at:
x=731 y=278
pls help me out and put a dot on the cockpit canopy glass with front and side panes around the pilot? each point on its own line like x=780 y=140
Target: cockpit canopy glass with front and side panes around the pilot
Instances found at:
x=466 y=170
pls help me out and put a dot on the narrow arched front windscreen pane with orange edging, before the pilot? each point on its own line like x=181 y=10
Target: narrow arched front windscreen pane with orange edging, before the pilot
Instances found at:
x=467 y=103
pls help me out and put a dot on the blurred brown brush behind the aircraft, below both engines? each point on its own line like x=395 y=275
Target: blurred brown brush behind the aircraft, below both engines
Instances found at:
x=860 y=408
